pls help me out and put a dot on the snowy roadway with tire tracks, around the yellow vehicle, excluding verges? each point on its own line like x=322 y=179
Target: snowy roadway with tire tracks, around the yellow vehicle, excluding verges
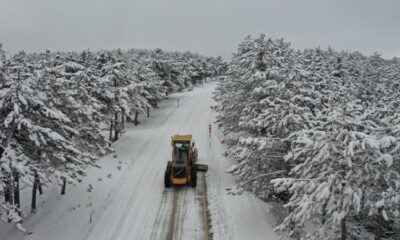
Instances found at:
x=146 y=176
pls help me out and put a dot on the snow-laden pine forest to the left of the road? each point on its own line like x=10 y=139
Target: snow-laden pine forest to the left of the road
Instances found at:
x=54 y=106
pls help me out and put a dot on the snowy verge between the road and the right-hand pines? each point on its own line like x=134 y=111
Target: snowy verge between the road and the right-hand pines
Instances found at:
x=234 y=217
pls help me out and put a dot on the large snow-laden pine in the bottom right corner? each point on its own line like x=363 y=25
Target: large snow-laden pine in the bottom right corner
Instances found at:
x=341 y=170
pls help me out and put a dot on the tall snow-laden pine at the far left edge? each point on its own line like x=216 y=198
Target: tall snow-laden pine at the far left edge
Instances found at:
x=21 y=126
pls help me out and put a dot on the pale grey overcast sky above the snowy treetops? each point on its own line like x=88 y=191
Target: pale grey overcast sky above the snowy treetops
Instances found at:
x=209 y=27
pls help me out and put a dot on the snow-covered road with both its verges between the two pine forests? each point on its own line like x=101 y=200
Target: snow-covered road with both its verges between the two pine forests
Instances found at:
x=128 y=199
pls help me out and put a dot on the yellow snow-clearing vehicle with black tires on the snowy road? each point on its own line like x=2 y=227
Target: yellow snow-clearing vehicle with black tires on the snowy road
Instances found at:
x=182 y=169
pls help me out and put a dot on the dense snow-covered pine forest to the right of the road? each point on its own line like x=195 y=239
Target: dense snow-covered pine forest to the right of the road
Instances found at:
x=318 y=130
